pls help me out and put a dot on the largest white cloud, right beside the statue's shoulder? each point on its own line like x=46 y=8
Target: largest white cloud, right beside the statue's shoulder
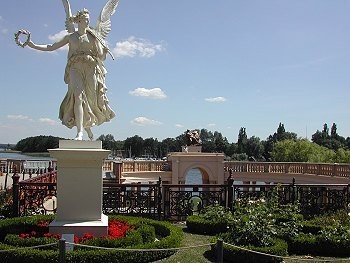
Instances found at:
x=133 y=47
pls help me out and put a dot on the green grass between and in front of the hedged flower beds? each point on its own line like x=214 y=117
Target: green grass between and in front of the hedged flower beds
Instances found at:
x=202 y=255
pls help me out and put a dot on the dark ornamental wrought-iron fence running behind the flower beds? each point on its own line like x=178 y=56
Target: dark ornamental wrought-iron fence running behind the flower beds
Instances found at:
x=176 y=202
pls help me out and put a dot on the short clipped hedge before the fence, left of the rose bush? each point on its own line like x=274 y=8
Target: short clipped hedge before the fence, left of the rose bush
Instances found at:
x=199 y=225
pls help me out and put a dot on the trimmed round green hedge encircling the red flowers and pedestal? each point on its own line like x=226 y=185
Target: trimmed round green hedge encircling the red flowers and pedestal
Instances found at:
x=168 y=235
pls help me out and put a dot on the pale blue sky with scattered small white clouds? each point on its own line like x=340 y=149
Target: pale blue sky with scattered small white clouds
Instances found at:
x=187 y=64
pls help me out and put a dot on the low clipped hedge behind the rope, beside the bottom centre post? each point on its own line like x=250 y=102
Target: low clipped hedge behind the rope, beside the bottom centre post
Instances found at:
x=233 y=254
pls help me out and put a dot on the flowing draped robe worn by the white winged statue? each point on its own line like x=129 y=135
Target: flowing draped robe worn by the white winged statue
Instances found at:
x=85 y=69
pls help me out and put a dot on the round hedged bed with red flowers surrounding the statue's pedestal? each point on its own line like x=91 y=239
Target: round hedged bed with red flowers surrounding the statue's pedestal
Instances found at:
x=124 y=232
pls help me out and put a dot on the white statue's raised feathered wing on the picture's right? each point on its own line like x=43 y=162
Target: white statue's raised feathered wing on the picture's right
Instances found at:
x=103 y=26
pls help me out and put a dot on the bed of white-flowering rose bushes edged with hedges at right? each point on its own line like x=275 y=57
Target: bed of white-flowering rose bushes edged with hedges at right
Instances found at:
x=265 y=226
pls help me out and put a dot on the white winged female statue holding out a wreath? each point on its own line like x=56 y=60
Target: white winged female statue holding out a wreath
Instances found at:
x=85 y=104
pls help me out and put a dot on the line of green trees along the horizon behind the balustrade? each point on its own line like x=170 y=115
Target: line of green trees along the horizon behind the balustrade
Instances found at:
x=281 y=146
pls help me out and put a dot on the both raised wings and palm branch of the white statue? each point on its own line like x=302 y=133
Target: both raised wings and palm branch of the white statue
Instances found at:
x=103 y=26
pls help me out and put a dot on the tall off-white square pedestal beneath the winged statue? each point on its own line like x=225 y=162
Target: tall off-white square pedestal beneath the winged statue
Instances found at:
x=79 y=188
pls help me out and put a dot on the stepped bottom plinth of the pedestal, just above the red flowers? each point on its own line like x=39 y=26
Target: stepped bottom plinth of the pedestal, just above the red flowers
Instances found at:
x=79 y=228
